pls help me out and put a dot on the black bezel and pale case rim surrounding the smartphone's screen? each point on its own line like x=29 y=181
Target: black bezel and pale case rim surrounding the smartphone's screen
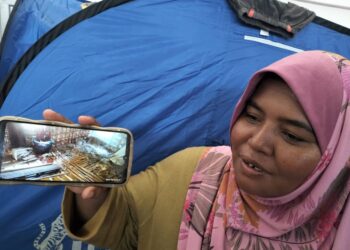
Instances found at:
x=128 y=160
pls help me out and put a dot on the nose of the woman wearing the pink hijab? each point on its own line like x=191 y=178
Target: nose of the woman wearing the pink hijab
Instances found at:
x=261 y=139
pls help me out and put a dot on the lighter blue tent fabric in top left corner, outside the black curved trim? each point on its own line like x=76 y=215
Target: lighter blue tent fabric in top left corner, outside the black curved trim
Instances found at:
x=29 y=21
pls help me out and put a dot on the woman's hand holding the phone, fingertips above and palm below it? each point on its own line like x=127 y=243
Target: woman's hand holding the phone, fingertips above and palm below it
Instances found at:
x=88 y=199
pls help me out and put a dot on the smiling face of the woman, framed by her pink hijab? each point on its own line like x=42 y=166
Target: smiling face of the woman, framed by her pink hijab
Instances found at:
x=274 y=148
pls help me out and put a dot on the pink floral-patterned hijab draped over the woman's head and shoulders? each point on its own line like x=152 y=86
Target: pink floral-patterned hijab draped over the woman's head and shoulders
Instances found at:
x=218 y=215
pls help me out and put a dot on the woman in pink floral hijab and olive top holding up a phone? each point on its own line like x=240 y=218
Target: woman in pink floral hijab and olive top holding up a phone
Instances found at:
x=283 y=183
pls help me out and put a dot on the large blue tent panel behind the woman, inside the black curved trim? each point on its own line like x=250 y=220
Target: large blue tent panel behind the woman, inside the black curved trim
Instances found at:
x=170 y=71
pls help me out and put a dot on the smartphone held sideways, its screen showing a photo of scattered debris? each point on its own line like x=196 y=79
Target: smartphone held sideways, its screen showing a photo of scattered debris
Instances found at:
x=53 y=153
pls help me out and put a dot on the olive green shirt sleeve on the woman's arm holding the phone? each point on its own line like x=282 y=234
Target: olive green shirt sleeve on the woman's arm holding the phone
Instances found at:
x=145 y=213
